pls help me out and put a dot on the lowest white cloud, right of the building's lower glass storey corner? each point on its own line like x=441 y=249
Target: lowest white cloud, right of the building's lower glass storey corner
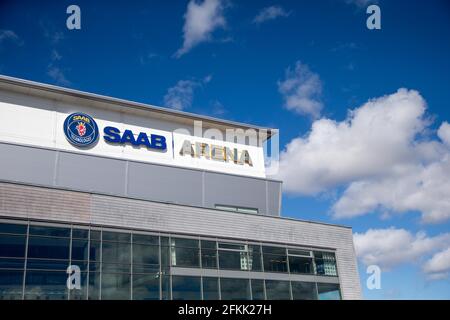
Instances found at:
x=392 y=247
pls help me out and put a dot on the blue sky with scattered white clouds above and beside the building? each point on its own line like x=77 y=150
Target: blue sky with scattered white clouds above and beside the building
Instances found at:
x=234 y=66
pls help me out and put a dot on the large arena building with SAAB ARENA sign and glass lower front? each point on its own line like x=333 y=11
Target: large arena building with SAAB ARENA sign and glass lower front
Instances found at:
x=141 y=207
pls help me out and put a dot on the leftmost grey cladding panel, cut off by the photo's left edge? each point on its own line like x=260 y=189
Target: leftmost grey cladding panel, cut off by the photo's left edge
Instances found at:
x=24 y=164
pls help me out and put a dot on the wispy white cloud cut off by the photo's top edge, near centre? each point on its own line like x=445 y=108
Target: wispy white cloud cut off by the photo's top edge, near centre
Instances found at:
x=201 y=19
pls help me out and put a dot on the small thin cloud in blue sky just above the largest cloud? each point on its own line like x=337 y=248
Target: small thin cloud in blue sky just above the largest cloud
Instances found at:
x=301 y=90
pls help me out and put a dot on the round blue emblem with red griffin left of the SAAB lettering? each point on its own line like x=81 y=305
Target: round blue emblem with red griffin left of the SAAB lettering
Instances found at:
x=80 y=129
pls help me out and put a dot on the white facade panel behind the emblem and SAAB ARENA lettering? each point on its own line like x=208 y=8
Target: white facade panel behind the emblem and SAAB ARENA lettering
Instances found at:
x=40 y=122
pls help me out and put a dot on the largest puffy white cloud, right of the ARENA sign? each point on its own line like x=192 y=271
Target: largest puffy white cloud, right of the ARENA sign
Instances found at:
x=380 y=154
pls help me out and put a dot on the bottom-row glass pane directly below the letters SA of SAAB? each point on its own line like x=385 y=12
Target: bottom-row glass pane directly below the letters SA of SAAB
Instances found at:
x=116 y=286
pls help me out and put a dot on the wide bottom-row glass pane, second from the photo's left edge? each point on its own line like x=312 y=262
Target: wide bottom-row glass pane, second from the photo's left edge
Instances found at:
x=46 y=285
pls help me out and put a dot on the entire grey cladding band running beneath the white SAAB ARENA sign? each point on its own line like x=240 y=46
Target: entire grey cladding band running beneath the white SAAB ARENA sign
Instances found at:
x=142 y=180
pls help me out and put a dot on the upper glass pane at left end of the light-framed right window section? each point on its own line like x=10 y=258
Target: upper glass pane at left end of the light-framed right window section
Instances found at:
x=185 y=253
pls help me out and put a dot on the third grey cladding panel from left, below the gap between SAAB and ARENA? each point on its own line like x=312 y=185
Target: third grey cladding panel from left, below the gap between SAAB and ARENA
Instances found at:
x=165 y=183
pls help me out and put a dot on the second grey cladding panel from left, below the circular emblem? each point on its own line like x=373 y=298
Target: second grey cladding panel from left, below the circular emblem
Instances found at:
x=91 y=173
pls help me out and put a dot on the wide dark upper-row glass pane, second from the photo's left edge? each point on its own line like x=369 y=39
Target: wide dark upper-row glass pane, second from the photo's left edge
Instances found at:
x=50 y=248
